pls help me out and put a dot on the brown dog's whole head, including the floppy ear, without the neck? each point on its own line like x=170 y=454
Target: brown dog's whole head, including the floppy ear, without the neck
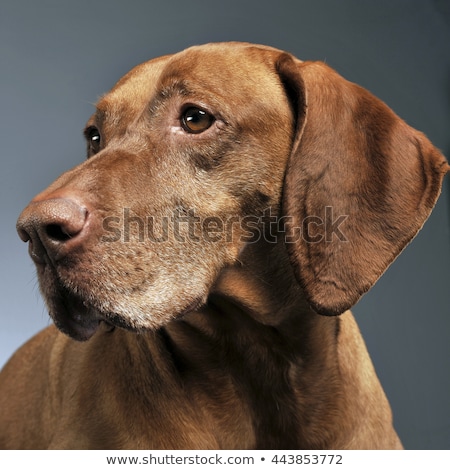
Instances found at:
x=185 y=156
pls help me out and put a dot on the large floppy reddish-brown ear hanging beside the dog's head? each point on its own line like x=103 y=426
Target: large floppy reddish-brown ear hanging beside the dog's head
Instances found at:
x=359 y=185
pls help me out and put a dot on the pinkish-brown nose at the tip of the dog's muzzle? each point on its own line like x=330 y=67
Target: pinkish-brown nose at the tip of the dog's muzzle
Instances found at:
x=53 y=227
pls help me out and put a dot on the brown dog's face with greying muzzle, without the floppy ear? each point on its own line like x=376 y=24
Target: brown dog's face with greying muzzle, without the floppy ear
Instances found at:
x=178 y=156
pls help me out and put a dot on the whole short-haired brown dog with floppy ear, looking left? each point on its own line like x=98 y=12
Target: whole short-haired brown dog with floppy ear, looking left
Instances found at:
x=235 y=203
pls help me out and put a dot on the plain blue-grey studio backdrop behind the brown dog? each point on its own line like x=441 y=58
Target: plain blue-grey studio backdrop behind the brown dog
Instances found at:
x=57 y=57
